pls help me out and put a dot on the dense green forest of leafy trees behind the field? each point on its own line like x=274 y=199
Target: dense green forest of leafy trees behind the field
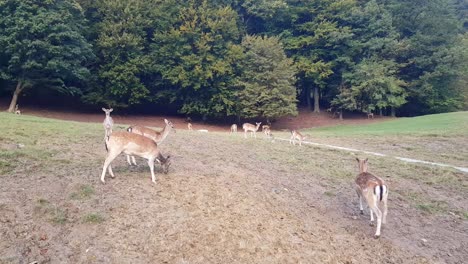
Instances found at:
x=237 y=58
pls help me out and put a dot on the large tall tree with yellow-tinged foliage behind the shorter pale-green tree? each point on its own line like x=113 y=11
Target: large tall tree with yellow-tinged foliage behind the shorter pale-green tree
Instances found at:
x=197 y=59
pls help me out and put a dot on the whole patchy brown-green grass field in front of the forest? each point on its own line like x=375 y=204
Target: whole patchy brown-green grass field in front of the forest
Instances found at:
x=229 y=199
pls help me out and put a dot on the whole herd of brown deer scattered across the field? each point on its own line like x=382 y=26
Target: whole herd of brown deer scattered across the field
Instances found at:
x=144 y=142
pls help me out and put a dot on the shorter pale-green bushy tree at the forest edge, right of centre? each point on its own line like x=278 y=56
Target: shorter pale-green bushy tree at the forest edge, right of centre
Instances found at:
x=267 y=80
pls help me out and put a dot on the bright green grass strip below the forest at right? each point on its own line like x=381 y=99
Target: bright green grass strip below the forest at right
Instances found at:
x=430 y=125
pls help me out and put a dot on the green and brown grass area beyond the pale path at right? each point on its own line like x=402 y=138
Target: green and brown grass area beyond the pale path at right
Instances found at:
x=441 y=138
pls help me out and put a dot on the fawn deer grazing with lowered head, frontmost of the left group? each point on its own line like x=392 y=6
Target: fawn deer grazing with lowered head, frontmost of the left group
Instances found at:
x=133 y=144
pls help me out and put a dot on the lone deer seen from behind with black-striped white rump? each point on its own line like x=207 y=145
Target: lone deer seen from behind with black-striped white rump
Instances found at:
x=374 y=190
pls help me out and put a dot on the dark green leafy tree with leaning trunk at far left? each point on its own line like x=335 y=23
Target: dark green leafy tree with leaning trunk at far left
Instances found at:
x=43 y=46
